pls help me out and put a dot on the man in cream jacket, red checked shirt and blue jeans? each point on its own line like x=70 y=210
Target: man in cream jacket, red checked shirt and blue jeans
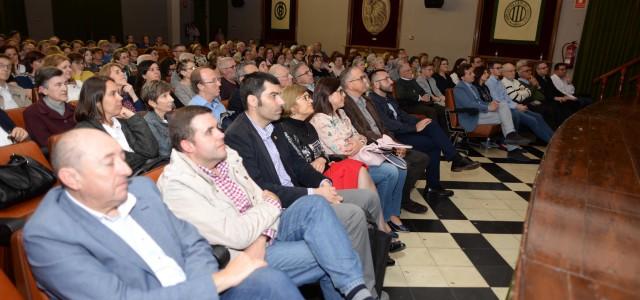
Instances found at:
x=207 y=185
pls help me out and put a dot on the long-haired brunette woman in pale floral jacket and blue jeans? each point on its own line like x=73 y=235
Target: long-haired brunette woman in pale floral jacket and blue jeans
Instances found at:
x=338 y=136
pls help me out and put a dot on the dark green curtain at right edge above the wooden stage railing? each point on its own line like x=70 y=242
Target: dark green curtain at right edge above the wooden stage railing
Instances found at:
x=610 y=37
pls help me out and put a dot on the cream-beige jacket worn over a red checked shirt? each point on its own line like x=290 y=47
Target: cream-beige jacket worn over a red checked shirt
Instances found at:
x=192 y=196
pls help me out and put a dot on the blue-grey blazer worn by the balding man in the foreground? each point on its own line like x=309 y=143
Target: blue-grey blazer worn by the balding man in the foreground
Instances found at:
x=74 y=256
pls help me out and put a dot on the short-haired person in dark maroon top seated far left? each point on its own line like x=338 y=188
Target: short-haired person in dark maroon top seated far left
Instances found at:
x=52 y=114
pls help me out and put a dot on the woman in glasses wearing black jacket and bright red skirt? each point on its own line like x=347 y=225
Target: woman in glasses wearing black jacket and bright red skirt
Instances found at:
x=345 y=173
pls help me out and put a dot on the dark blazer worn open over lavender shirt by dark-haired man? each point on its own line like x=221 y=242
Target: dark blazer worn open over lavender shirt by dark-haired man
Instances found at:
x=243 y=137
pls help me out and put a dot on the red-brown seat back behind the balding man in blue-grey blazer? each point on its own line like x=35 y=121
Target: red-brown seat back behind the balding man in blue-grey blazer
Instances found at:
x=25 y=282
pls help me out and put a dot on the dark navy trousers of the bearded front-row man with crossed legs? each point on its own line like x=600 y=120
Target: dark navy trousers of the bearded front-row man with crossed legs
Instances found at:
x=431 y=141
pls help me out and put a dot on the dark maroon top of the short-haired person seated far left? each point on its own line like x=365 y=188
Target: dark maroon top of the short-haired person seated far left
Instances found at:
x=43 y=122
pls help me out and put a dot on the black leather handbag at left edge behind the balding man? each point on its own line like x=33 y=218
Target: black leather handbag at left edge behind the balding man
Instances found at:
x=23 y=178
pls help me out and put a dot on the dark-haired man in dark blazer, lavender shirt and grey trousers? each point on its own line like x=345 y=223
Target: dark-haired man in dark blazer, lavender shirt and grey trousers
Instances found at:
x=273 y=164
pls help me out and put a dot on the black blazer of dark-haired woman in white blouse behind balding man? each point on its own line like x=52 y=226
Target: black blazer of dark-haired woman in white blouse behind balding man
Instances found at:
x=138 y=135
